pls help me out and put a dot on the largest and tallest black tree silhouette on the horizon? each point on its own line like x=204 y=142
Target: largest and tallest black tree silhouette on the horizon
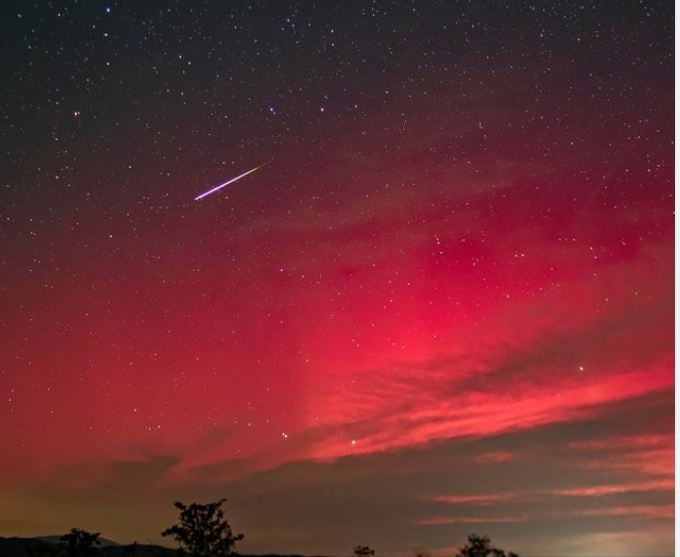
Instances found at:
x=202 y=530
